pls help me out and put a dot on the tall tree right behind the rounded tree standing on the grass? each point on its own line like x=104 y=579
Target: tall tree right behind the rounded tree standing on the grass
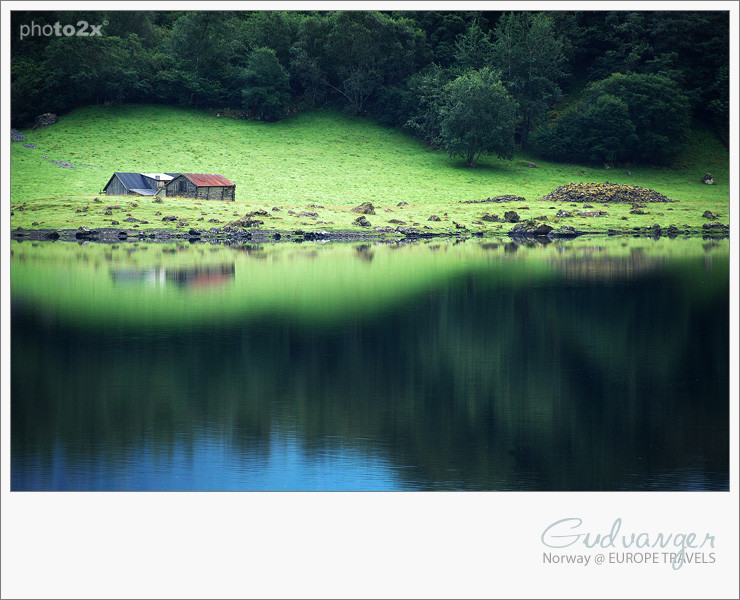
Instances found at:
x=530 y=56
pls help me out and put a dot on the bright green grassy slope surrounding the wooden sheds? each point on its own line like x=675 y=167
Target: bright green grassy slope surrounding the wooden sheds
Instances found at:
x=321 y=162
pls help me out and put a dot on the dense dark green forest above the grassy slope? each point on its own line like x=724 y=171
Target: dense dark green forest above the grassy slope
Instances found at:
x=587 y=86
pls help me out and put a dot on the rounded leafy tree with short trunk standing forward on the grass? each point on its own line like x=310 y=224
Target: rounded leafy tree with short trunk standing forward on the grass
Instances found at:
x=478 y=117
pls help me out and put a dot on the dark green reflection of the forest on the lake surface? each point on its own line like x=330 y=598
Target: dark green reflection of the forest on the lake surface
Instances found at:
x=593 y=386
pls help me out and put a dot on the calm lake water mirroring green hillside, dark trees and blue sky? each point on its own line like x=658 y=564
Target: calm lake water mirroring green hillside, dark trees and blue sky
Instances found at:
x=594 y=364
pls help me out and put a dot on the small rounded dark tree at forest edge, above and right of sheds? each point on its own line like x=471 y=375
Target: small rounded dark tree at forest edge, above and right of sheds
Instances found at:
x=266 y=89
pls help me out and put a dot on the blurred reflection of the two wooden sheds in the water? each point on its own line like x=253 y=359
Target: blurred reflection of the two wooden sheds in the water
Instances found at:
x=188 y=277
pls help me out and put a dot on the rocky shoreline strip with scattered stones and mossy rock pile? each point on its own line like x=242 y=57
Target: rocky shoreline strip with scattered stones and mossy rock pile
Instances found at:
x=253 y=226
